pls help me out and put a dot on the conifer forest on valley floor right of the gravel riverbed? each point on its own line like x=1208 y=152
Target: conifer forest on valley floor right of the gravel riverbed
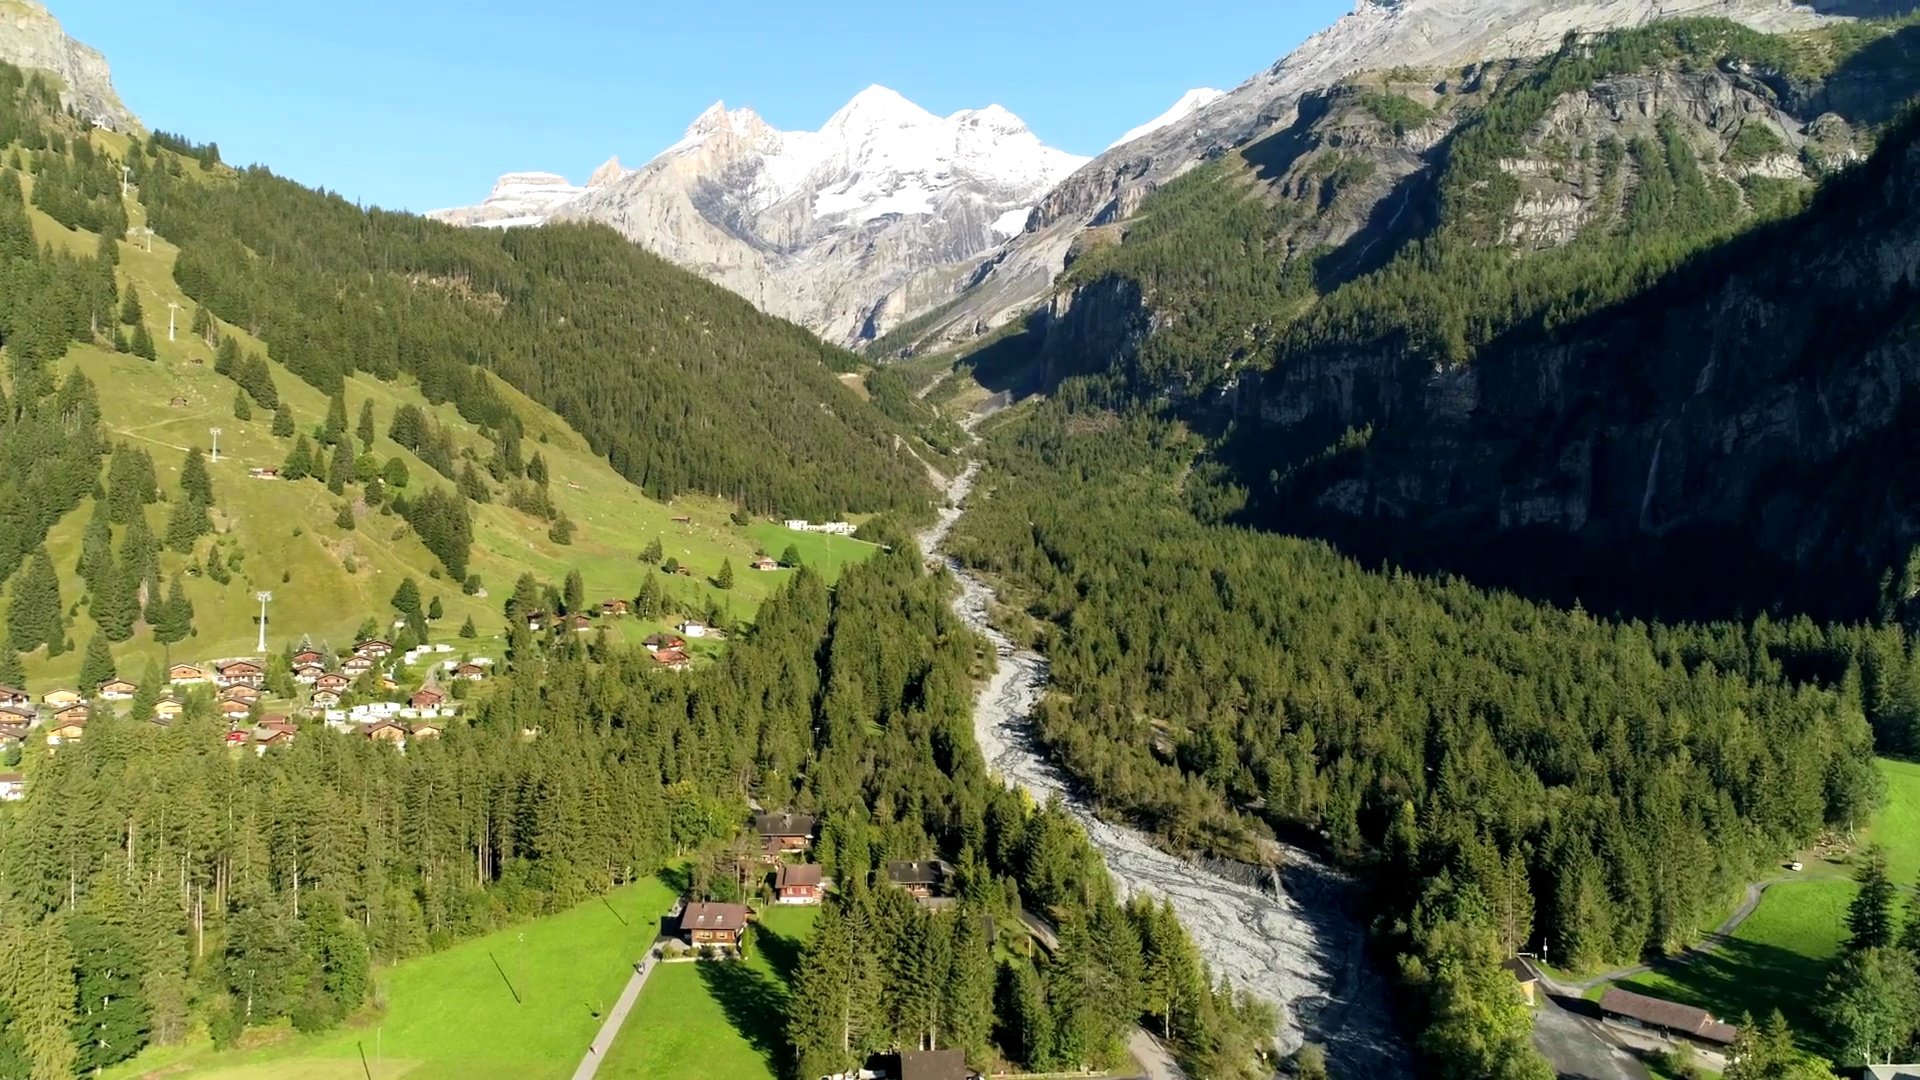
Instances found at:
x=1502 y=773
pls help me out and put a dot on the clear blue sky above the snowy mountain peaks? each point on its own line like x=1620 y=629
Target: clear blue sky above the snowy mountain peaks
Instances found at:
x=421 y=103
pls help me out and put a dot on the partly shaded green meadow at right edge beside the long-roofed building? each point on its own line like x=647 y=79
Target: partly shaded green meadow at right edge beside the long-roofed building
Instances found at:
x=1781 y=954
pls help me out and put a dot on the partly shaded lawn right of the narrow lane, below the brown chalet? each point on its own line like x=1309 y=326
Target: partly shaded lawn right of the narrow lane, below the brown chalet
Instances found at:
x=717 y=1019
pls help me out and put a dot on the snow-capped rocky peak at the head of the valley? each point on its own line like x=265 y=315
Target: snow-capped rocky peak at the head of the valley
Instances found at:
x=848 y=230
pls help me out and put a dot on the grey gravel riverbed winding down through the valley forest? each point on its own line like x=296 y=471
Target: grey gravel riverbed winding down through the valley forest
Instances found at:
x=1305 y=958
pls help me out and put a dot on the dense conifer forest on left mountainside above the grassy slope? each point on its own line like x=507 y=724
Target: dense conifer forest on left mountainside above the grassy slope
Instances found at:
x=679 y=383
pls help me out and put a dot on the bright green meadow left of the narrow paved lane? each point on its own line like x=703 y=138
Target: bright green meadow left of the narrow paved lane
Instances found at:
x=452 y=1016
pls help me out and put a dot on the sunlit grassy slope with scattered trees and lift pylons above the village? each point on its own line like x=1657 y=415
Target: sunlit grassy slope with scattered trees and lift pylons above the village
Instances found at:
x=327 y=579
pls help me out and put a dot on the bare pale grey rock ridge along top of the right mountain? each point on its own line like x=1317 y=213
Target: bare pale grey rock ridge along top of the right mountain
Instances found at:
x=1376 y=37
